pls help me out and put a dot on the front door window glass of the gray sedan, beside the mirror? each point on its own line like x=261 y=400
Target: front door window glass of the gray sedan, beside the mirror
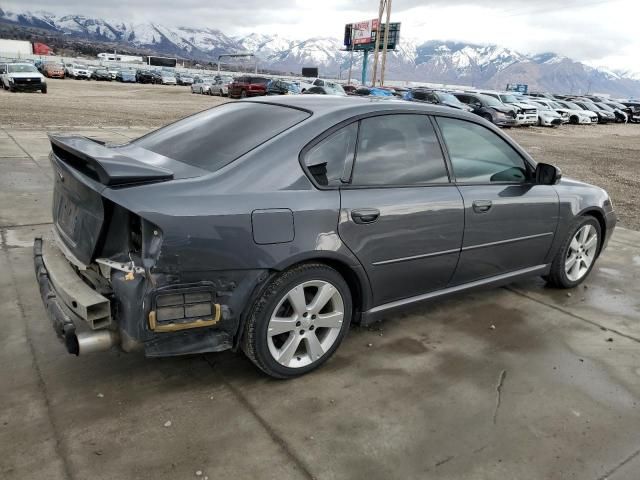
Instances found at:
x=478 y=155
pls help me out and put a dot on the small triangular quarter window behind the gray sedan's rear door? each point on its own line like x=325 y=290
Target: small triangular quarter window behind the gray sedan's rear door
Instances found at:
x=329 y=162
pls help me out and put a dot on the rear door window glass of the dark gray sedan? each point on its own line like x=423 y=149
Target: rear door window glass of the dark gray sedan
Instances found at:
x=398 y=150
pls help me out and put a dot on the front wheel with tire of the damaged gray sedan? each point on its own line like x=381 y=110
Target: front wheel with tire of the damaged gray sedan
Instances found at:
x=561 y=276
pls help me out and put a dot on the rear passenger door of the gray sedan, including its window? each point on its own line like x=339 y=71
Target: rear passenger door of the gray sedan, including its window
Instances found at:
x=400 y=215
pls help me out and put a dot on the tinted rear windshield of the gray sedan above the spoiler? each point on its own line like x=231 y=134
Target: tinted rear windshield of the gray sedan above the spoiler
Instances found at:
x=216 y=137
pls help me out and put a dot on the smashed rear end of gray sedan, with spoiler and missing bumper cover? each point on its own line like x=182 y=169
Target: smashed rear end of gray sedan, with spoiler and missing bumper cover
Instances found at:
x=101 y=272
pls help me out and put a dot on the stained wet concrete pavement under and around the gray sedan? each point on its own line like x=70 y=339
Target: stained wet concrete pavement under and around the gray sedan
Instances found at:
x=522 y=382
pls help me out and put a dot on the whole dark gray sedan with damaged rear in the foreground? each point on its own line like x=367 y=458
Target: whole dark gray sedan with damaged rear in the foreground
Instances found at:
x=312 y=215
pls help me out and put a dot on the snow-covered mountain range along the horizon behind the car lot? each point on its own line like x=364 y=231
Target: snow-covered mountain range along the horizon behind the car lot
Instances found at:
x=432 y=61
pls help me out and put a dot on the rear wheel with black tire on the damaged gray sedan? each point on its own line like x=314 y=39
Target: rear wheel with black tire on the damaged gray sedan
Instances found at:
x=304 y=283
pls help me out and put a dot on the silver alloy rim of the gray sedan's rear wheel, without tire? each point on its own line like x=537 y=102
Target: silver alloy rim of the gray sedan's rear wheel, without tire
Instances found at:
x=305 y=323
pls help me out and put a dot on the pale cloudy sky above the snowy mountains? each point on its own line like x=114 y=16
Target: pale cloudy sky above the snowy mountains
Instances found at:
x=601 y=33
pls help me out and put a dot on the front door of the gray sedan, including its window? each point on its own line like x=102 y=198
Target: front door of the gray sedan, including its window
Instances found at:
x=510 y=221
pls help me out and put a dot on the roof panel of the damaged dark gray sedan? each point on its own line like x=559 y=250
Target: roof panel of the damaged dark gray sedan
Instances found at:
x=328 y=104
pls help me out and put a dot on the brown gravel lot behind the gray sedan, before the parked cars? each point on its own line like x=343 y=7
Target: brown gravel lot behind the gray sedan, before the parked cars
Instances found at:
x=606 y=155
